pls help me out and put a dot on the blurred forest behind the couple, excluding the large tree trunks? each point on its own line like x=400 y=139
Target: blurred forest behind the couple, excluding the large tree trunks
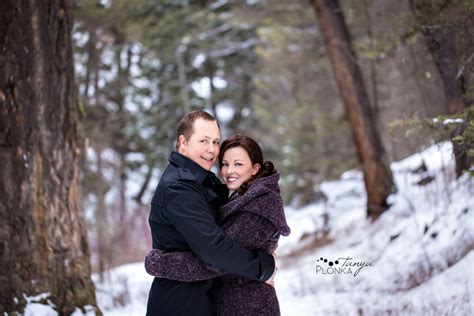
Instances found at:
x=262 y=68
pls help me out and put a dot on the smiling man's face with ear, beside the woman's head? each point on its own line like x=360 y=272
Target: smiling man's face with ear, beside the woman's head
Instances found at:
x=203 y=145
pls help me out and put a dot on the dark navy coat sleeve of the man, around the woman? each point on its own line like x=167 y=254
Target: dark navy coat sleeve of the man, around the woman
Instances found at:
x=188 y=210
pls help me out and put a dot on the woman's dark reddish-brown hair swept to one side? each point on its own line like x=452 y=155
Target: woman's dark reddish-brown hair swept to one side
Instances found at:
x=256 y=157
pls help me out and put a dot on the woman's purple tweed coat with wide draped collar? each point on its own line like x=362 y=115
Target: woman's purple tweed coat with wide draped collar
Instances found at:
x=256 y=219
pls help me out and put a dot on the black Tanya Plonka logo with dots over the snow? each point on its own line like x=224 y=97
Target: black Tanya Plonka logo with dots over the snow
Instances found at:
x=342 y=265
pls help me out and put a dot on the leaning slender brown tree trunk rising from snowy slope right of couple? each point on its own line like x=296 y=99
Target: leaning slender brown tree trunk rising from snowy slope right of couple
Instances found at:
x=377 y=176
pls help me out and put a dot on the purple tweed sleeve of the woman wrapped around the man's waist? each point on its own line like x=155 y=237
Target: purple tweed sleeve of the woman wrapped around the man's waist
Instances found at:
x=179 y=266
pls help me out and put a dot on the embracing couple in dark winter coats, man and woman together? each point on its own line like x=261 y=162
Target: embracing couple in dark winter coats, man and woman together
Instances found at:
x=213 y=254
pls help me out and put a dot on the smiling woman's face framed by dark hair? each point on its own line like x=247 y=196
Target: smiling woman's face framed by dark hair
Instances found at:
x=237 y=167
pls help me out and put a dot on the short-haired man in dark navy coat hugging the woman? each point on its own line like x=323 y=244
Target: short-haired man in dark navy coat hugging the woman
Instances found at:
x=182 y=218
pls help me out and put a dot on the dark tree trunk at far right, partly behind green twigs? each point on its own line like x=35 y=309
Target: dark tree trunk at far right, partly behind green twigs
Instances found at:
x=441 y=42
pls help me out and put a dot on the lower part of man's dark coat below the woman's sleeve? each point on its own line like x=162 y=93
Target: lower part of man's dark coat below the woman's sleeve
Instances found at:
x=168 y=297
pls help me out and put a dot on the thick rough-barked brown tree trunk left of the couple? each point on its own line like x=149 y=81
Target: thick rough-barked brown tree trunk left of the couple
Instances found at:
x=43 y=241
